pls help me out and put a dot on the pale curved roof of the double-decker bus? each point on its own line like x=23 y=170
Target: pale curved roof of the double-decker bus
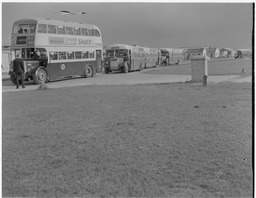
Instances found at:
x=54 y=21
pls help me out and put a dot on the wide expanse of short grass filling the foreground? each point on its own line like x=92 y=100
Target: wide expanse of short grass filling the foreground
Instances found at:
x=176 y=140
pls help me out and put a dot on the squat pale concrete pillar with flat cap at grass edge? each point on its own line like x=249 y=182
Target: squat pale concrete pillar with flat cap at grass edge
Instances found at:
x=199 y=69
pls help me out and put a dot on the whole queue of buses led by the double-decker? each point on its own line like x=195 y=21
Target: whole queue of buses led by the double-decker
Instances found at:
x=53 y=49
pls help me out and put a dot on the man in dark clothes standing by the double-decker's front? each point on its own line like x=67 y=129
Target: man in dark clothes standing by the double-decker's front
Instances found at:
x=18 y=68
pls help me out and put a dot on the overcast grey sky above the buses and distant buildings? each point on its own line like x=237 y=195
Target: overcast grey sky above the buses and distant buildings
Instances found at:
x=149 y=24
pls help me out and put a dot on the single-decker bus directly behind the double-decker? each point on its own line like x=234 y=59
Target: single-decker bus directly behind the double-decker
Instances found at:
x=125 y=58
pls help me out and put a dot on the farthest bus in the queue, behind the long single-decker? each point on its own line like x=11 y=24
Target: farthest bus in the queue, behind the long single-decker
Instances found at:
x=171 y=56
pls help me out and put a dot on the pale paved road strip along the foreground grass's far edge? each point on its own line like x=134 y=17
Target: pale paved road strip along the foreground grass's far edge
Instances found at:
x=121 y=78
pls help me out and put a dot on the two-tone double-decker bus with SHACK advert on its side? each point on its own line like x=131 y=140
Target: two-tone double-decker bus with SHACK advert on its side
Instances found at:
x=53 y=49
